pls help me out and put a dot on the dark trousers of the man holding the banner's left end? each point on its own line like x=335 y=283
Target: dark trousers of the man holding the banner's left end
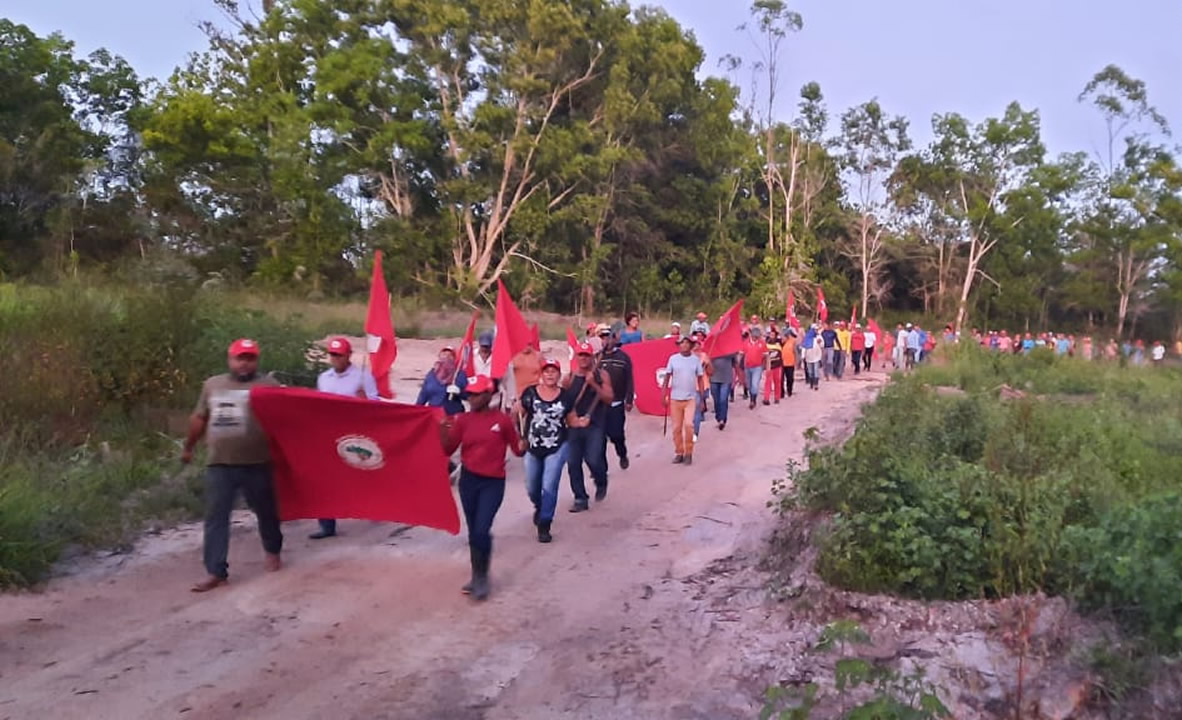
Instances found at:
x=223 y=485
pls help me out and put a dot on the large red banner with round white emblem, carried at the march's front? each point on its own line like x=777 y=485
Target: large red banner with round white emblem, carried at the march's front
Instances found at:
x=336 y=457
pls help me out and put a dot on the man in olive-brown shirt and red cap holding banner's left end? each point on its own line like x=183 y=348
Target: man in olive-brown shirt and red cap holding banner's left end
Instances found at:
x=239 y=459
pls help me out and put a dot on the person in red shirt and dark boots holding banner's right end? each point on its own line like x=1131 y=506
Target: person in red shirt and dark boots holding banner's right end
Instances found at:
x=482 y=437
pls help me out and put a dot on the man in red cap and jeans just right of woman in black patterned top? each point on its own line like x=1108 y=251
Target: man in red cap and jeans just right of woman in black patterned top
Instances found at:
x=593 y=394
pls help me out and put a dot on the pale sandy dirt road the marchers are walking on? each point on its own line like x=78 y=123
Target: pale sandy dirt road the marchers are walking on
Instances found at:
x=601 y=624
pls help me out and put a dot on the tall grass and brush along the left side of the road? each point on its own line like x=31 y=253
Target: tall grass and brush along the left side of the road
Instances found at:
x=87 y=450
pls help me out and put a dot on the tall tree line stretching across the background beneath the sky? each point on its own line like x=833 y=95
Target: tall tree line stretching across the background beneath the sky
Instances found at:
x=574 y=147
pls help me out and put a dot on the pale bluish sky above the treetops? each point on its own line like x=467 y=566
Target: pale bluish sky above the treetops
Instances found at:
x=918 y=57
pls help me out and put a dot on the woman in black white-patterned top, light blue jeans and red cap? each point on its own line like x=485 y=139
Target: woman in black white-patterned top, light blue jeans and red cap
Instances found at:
x=545 y=408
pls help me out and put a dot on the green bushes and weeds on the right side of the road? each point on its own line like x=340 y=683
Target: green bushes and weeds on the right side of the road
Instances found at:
x=1073 y=489
